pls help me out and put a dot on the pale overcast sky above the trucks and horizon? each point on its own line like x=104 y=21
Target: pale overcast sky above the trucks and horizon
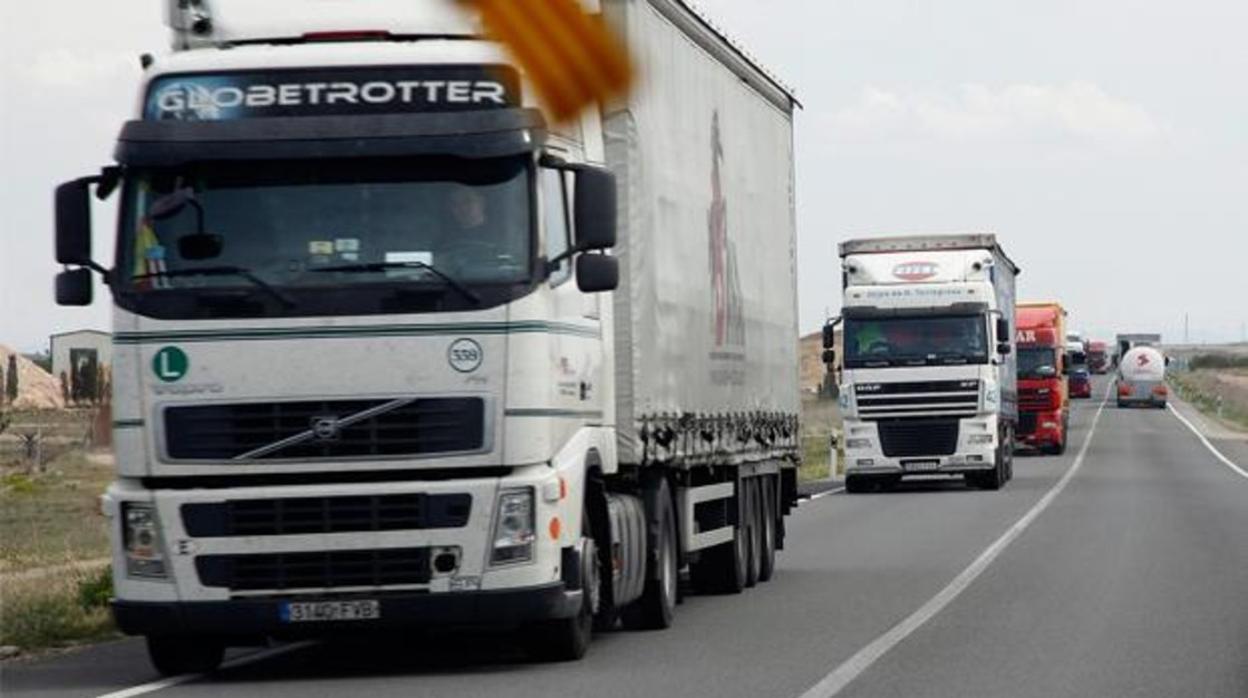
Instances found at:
x=1105 y=142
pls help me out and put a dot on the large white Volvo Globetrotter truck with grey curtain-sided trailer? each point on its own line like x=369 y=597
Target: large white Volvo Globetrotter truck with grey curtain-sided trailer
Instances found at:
x=375 y=366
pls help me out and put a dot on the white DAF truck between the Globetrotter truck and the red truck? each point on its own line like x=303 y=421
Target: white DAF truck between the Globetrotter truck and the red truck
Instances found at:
x=929 y=383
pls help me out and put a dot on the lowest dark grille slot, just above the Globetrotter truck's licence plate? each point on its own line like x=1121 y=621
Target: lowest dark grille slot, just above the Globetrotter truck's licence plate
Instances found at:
x=315 y=570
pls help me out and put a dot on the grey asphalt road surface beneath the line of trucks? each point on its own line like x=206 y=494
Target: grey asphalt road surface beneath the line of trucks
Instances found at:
x=1123 y=571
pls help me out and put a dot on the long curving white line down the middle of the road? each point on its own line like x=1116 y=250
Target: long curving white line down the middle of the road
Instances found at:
x=862 y=661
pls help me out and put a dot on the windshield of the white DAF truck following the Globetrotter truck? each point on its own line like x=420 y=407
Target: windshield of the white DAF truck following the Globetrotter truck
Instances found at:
x=915 y=342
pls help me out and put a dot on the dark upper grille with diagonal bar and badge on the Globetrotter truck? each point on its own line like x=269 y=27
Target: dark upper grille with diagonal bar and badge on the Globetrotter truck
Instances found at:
x=328 y=429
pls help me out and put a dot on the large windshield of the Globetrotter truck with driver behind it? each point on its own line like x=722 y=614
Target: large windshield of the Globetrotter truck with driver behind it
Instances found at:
x=314 y=229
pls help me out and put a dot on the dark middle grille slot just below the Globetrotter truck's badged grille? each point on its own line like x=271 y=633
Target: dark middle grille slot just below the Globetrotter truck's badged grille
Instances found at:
x=326 y=515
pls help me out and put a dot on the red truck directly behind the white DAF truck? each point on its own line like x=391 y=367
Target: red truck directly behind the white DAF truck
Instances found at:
x=1044 y=399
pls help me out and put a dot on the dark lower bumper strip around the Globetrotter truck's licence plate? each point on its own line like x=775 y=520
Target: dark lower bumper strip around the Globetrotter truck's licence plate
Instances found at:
x=264 y=617
